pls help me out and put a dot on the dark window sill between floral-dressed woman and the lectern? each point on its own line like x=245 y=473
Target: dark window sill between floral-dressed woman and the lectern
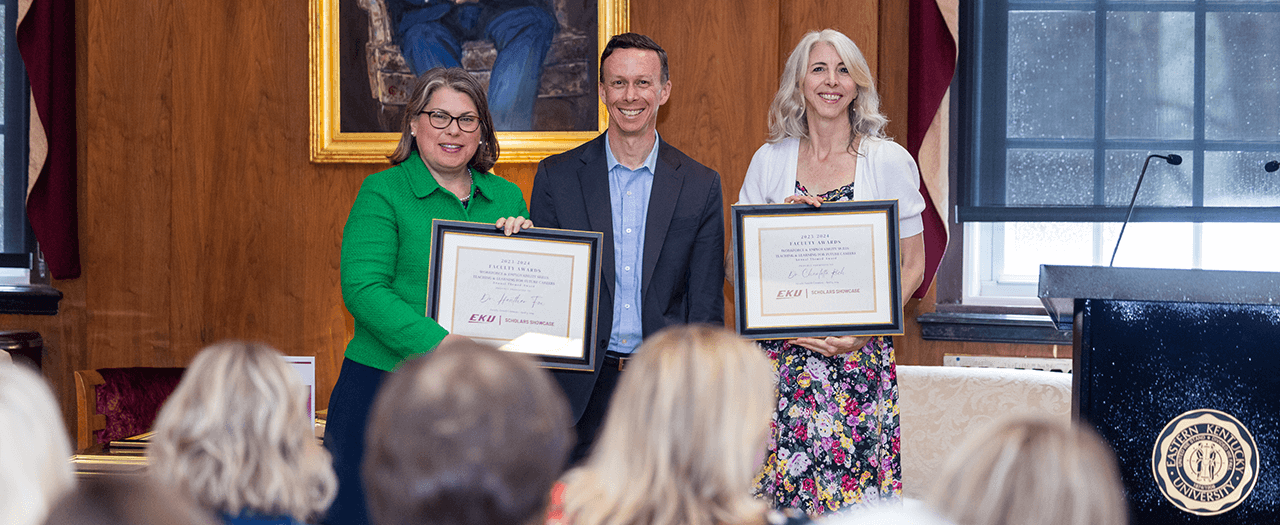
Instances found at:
x=986 y=326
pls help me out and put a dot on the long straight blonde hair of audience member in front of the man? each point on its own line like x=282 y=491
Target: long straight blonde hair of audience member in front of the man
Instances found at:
x=684 y=436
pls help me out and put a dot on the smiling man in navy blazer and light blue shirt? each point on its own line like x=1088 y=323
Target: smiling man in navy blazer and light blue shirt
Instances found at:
x=662 y=217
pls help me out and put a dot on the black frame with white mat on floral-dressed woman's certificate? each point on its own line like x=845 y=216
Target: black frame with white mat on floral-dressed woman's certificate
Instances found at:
x=787 y=214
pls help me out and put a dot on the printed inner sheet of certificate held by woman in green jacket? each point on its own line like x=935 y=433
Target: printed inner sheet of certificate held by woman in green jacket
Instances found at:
x=501 y=295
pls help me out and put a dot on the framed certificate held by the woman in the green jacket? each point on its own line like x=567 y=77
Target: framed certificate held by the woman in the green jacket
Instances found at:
x=534 y=293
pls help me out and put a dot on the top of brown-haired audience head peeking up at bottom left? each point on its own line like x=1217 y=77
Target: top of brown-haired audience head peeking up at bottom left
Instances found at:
x=127 y=501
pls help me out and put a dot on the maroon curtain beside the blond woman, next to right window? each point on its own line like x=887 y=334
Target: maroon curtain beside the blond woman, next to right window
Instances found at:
x=932 y=63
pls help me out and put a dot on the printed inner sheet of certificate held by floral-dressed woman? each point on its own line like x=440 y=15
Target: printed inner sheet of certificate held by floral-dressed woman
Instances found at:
x=817 y=271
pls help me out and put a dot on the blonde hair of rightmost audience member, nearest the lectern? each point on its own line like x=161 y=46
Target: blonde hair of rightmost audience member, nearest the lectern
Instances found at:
x=1031 y=471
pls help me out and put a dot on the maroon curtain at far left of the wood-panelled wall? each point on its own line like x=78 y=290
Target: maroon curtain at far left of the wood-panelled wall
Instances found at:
x=47 y=40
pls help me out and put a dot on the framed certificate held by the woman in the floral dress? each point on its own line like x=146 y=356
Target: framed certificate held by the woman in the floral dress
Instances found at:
x=816 y=272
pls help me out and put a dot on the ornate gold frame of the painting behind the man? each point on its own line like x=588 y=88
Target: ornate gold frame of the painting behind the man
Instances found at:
x=330 y=144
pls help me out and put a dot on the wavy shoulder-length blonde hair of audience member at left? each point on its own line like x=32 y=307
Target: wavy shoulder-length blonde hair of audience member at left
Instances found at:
x=236 y=435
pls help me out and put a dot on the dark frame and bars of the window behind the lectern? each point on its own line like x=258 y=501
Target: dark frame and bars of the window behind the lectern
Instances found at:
x=982 y=70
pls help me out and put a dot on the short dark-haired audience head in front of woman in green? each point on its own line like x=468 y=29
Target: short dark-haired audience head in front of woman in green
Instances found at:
x=465 y=436
